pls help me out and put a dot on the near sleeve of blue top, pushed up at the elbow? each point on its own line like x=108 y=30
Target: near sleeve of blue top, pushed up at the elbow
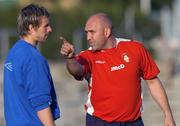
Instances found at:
x=38 y=83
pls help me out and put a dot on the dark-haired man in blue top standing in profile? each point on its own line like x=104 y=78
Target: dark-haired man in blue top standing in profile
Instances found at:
x=29 y=94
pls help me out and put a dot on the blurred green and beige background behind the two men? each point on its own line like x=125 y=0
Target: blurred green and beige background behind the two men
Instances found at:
x=153 y=22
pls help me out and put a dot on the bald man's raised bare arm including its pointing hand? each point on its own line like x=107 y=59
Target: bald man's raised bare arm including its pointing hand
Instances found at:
x=74 y=68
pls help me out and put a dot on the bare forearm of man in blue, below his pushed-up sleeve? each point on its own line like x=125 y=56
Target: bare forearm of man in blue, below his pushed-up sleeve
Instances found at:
x=46 y=117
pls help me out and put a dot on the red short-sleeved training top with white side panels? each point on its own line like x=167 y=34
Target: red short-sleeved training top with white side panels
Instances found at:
x=114 y=77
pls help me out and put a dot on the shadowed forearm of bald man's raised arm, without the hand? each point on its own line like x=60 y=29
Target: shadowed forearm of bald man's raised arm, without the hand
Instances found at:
x=74 y=67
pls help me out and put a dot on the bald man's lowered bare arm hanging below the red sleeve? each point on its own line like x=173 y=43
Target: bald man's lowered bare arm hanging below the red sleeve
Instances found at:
x=160 y=96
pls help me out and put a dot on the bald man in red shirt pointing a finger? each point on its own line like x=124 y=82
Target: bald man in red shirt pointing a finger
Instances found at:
x=114 y=68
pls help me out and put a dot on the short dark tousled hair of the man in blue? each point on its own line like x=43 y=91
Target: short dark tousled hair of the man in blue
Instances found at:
x=30 y=15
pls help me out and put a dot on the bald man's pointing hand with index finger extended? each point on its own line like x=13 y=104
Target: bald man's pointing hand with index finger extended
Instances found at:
x=67 y=49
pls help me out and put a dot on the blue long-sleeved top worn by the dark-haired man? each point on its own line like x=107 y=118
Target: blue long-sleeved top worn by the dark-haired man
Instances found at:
x=28 y=86
